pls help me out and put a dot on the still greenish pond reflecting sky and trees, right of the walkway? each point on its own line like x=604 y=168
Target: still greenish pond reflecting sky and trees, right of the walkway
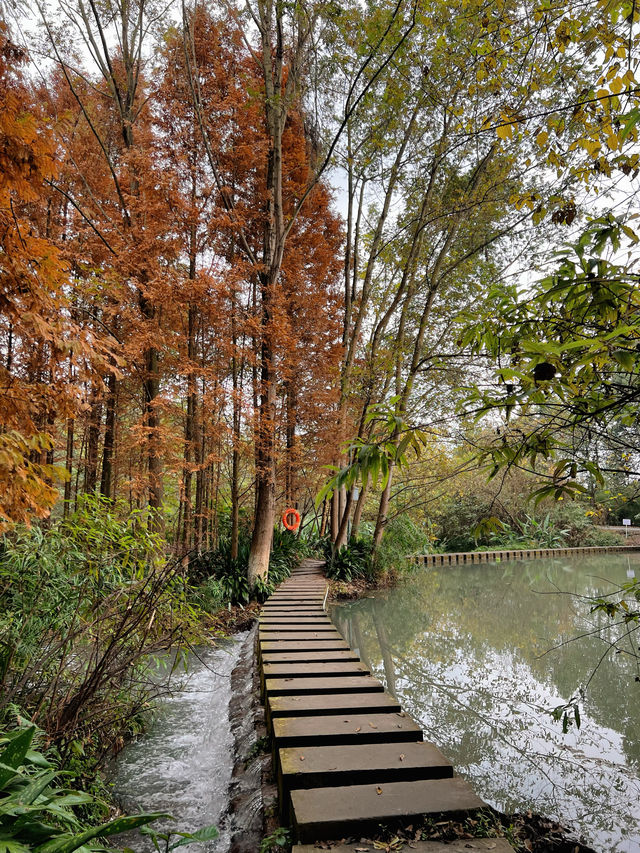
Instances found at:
x=477 y=653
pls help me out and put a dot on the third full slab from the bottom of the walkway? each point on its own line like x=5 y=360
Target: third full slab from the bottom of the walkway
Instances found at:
x=333 y=730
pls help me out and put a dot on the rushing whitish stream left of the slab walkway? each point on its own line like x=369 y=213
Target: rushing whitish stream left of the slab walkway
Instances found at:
x=183 y=764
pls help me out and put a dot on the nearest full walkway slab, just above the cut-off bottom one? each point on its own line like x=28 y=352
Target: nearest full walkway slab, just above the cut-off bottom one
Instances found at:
x=320 y=814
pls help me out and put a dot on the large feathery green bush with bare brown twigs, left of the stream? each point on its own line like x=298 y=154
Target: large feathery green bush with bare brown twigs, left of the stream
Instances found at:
x=81 y=608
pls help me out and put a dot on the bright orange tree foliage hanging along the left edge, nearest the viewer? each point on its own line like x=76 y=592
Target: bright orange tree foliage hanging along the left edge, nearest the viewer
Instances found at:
x=39 y=339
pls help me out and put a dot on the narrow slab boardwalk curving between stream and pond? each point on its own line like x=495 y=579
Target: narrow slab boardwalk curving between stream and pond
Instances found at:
x=347 y=758
